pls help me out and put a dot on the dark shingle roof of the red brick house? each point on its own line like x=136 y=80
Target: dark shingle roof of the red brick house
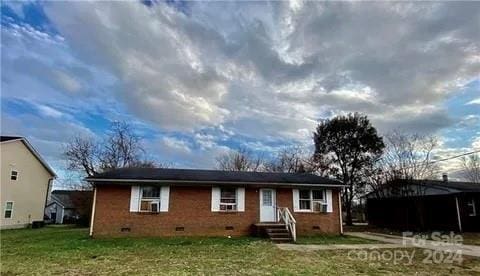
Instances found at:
x=205 y=176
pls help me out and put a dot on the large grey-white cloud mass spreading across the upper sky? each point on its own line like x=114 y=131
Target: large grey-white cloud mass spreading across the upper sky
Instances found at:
x=273 y=70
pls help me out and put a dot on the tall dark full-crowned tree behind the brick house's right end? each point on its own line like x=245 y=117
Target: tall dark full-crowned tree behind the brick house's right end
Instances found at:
x=349 y=145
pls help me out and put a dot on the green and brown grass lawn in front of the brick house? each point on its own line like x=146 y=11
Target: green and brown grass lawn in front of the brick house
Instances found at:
x=67 y=251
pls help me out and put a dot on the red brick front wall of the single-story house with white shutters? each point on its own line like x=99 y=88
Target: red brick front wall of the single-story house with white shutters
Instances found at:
x=190 y=207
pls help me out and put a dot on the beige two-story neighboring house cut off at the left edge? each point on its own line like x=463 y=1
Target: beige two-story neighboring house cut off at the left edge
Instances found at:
x=25 y=181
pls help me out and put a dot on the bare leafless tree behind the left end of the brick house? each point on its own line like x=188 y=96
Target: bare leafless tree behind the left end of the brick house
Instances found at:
x=120 y=148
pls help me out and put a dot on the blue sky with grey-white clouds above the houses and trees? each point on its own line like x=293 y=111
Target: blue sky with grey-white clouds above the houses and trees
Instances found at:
x=196 y=79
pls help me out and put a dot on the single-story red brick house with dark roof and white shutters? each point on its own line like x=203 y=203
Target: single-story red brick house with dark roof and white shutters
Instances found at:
x=178 y=202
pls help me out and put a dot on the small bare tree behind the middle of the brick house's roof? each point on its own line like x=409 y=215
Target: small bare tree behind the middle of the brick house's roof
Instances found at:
x=239 y=160
